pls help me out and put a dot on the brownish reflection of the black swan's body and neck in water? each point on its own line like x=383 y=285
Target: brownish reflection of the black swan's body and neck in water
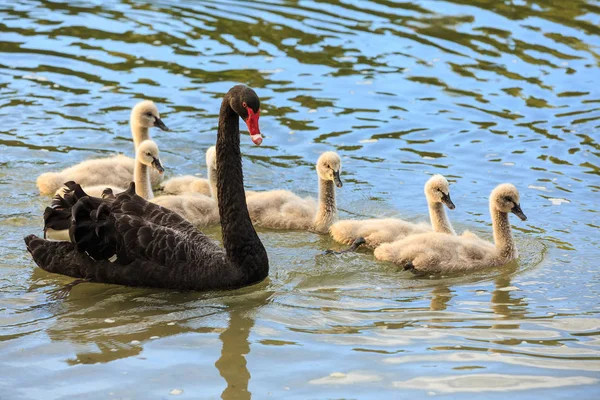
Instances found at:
x=145 y=315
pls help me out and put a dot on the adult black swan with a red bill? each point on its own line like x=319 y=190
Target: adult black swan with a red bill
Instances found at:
x=126 y=240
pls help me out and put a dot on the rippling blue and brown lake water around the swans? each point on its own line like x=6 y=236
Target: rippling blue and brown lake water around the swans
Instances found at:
x=483 y=92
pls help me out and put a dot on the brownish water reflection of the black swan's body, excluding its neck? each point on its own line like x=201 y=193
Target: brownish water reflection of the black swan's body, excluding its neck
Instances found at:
x=107 y=323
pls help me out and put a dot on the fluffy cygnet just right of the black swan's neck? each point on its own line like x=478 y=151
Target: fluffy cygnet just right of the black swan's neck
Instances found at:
x=281 y=209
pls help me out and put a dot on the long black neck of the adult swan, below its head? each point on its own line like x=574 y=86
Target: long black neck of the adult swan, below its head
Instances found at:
x=240 y=240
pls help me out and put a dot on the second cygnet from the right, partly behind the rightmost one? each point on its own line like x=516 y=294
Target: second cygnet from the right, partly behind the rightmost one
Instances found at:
x=385 y=230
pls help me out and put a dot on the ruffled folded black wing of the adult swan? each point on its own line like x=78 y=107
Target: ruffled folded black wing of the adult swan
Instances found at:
x=130 y=228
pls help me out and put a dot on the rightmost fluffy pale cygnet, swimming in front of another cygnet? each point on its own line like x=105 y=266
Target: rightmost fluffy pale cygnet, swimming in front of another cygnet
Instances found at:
x=436 y=252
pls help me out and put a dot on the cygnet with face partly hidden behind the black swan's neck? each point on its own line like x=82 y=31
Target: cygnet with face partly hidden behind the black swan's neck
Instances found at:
x=194 y=184
